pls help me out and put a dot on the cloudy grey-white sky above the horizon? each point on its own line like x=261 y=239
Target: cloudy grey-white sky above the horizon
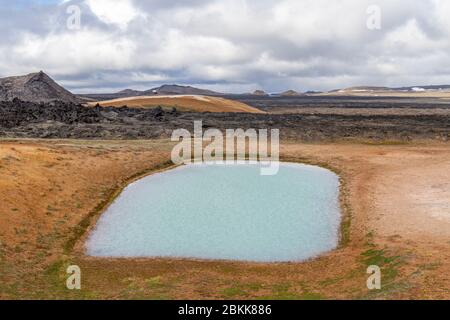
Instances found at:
x=227 y=45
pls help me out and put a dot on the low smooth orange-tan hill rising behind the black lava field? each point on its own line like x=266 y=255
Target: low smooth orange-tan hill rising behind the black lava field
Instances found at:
x=183 y=103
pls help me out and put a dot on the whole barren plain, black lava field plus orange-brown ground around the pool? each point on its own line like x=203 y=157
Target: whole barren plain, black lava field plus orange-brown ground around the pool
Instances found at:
x=62 y=164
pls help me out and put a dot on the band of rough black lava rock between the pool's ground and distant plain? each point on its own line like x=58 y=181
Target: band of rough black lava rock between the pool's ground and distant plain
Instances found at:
x=20 y=119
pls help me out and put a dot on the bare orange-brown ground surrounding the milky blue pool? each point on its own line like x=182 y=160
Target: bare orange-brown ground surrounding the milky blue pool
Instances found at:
x=397 y=215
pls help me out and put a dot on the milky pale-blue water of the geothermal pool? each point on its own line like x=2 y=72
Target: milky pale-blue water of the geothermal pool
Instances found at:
x=226 y=212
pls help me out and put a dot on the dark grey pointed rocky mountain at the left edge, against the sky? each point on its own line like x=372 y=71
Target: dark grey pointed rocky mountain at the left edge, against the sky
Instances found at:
x=34 y=87
